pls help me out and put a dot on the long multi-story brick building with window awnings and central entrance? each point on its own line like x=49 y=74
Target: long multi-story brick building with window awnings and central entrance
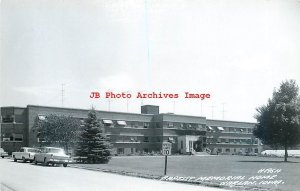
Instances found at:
x=133 y=133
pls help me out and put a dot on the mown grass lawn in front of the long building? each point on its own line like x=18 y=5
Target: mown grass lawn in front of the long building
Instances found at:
x=205 y=166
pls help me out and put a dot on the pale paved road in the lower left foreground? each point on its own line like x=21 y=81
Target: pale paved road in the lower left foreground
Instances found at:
x=29 y=177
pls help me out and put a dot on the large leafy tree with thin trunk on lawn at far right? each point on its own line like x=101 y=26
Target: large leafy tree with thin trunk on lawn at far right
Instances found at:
x=279 y=121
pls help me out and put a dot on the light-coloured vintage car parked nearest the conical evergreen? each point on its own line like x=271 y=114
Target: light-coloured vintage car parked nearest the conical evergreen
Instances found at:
x=51 y=155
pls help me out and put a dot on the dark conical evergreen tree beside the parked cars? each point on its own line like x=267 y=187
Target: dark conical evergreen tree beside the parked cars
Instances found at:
x=93 y=143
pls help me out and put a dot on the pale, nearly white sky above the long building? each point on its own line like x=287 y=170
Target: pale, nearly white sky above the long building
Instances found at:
x=56 y=52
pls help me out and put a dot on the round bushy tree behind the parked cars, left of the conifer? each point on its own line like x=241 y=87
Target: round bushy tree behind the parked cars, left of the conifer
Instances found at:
x=56 y=130
